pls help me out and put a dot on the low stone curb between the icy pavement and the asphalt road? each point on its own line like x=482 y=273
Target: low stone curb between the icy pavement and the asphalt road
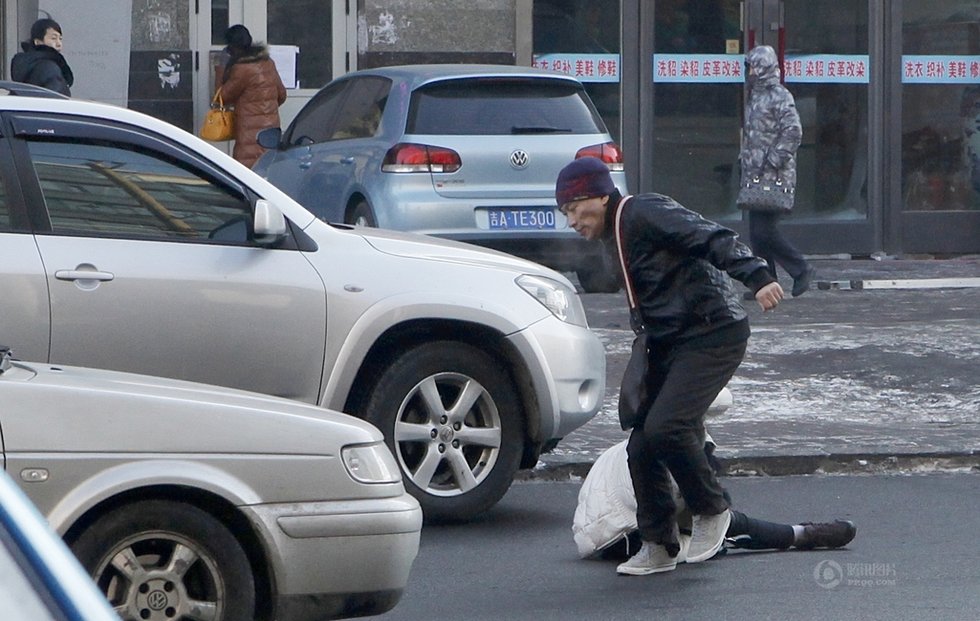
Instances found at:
x=787 y=465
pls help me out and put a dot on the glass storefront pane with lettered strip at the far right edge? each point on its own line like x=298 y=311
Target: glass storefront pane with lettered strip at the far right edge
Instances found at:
x=940 y=126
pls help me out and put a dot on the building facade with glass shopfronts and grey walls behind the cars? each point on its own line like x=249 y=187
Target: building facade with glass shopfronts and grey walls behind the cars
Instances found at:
x=888 y=90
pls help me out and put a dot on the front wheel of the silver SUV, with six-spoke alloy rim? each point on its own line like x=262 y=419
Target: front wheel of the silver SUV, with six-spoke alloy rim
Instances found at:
x=456 y=463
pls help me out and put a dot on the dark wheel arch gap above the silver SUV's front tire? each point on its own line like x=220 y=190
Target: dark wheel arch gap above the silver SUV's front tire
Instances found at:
x=406 y=335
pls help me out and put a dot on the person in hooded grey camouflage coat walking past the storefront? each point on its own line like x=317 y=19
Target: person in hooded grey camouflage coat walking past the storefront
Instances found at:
x=771 y=136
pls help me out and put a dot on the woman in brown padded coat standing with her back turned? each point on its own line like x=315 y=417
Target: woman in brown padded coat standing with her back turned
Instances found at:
x=250 y=83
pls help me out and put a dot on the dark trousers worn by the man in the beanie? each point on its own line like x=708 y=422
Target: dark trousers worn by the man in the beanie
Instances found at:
x=670 y=440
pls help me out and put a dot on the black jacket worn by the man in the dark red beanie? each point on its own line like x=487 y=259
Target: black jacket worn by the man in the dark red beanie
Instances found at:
x=678 y=262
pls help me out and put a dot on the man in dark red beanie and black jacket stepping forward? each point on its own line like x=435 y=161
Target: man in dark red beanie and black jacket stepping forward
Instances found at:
x=696 y=337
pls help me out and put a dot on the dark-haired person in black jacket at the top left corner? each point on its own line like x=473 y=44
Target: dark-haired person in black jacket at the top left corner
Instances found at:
x=41 y=62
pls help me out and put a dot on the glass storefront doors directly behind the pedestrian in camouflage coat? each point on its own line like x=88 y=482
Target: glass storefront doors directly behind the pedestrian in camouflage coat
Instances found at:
x=698 y=94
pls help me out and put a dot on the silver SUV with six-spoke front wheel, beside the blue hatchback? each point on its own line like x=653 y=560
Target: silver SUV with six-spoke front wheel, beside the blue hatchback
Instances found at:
x=129 y=244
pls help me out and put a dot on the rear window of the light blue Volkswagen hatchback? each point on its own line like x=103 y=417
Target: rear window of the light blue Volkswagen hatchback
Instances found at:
x=502 y=106
